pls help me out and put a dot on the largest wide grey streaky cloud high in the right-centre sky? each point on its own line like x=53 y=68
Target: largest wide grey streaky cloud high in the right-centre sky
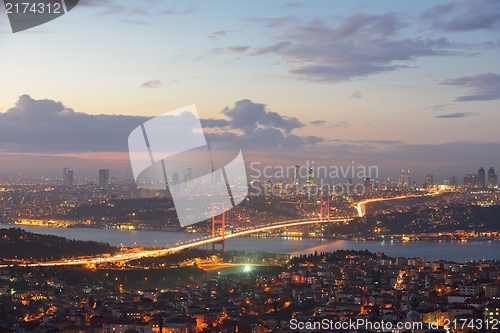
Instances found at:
x=358 y=46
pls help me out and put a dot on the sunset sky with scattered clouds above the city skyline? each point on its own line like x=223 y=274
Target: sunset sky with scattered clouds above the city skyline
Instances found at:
x=395 y=84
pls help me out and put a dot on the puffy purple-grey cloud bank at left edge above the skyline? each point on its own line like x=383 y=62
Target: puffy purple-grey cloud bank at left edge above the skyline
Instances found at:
x=49 y=126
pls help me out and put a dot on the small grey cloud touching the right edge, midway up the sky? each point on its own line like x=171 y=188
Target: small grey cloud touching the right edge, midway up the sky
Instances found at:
x=485 y=86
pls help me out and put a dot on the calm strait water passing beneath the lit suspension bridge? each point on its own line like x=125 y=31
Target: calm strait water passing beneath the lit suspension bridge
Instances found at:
x=432 y=250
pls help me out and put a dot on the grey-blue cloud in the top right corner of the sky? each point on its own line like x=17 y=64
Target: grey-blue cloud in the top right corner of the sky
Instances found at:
x=458 y=16
